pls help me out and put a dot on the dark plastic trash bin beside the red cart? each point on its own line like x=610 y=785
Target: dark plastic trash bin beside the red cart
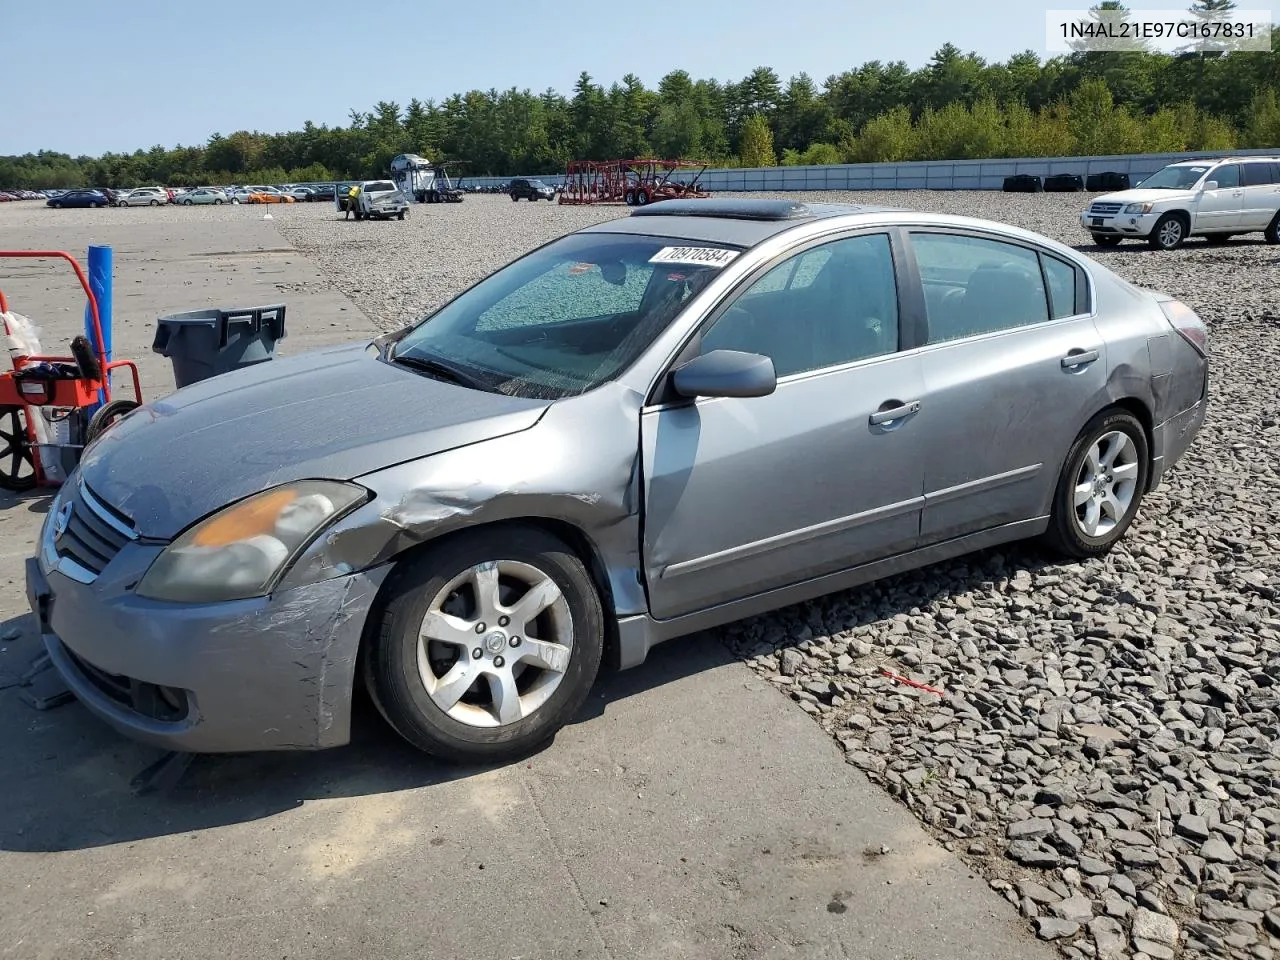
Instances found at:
x=204 y=344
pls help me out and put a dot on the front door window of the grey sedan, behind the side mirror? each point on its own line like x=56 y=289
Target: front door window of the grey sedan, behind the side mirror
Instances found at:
x=825 y=307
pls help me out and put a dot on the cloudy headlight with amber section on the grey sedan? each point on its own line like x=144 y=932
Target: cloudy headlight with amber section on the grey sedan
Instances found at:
x=243 y=551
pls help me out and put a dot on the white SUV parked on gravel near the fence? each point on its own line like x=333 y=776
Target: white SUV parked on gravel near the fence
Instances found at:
x=1212 y=199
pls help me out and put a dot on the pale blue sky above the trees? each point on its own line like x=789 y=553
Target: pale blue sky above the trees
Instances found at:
x=94 y=76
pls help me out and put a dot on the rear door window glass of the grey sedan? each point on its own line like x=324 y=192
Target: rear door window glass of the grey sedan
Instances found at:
x=975 y=286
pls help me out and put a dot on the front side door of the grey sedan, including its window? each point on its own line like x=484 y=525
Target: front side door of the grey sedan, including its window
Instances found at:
x=747 y=496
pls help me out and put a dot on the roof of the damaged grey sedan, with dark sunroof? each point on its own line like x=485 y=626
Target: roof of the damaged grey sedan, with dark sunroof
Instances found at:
x=729 y=220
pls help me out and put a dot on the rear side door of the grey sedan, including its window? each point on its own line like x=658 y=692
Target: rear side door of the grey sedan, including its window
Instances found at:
x=1013 y=368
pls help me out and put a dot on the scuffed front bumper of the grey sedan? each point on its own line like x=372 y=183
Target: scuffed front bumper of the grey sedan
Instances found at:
x=269 y=674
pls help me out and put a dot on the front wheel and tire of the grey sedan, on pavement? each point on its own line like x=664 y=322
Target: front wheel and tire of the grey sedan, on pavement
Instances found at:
x=488 y=646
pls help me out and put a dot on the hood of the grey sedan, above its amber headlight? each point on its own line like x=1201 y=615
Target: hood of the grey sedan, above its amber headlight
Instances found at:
x=333 y=414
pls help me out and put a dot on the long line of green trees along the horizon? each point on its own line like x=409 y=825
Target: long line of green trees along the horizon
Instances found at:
x=957 y=107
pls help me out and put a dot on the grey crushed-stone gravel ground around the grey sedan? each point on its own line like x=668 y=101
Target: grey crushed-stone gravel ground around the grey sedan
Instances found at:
x=1105 y=742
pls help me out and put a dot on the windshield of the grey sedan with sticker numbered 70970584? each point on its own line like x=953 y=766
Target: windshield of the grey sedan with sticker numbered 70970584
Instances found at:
x=569 y=317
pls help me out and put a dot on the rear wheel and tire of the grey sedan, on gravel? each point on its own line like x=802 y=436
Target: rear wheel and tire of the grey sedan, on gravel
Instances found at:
x=1101 y=486
